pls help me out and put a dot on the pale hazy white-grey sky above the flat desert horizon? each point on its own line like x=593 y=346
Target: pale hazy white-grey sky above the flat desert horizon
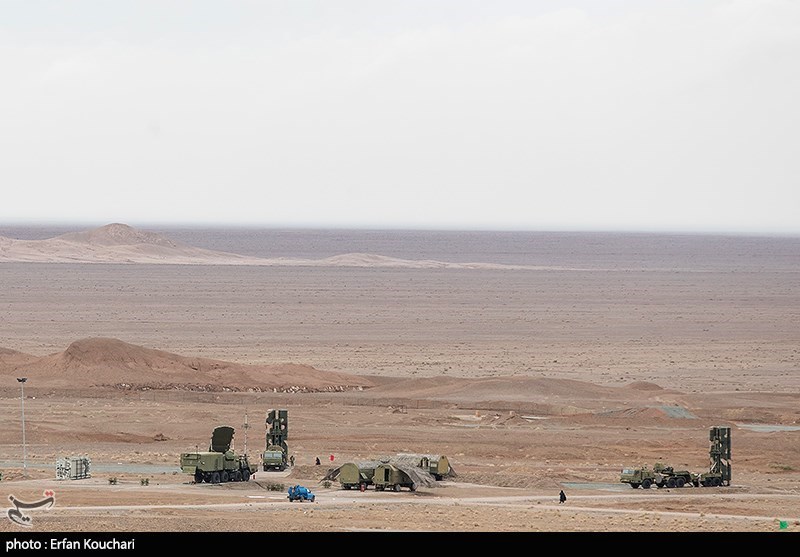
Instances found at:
x=554 y=115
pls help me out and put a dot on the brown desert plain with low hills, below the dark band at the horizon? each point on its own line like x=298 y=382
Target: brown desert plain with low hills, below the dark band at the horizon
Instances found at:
x=530 y=379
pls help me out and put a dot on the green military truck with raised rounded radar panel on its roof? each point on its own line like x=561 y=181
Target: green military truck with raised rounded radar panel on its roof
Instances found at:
x=219 y=464
